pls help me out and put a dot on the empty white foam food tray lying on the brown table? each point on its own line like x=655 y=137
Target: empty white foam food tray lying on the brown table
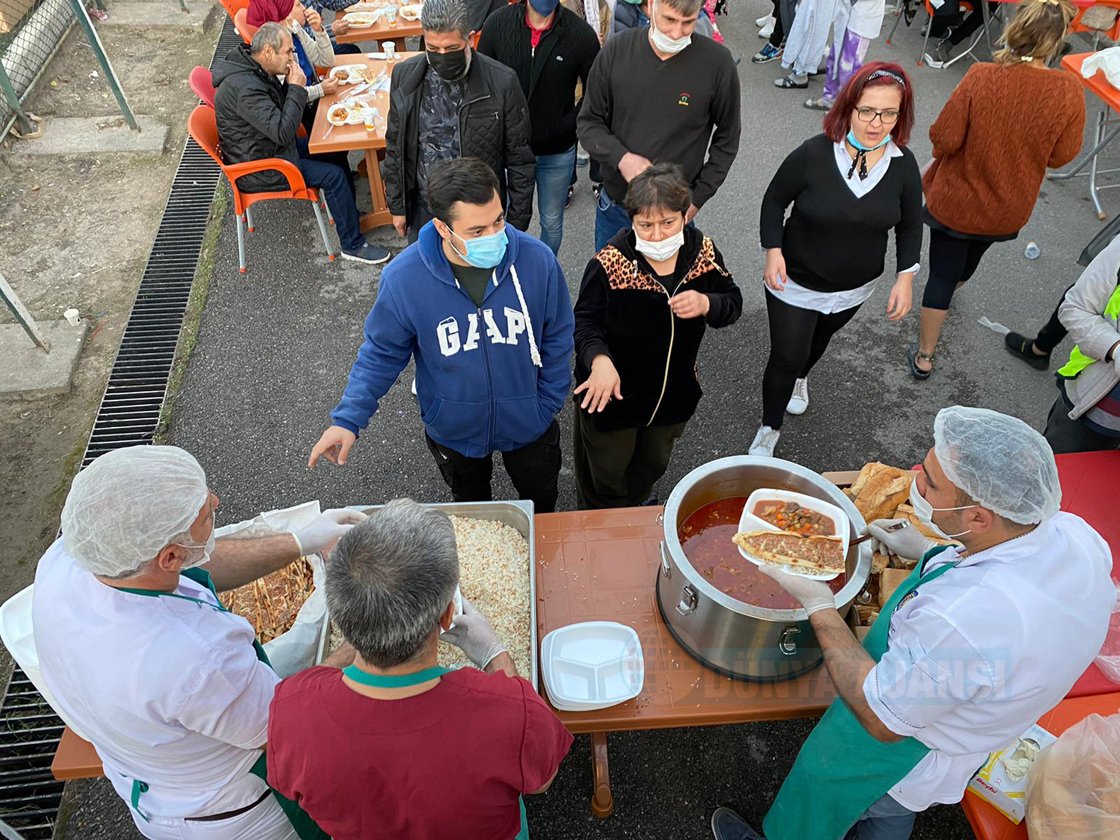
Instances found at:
x=592 y=666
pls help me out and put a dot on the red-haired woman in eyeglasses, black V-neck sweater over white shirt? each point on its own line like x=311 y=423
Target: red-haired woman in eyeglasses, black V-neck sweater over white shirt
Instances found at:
x=850 y=188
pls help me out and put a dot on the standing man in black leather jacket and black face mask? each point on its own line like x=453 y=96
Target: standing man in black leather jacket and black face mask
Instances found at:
x=449 y=104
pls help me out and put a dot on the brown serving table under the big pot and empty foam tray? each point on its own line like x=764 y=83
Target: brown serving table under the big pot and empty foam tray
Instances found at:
x=602 y=566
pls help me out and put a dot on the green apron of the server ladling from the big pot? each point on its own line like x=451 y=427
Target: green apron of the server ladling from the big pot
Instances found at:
x=842 y=770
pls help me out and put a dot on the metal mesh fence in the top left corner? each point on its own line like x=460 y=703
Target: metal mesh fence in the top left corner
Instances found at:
x=31 y=34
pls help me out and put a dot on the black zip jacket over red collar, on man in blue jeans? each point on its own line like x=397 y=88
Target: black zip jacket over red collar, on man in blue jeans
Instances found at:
x=548 y=76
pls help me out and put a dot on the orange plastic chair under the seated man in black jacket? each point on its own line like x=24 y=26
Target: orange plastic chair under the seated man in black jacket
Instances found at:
x=202 y=126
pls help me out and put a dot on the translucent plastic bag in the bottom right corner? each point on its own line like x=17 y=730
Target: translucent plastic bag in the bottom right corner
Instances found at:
x=1075 y=789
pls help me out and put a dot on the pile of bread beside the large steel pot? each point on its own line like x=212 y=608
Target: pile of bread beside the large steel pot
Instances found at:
x=883 y=492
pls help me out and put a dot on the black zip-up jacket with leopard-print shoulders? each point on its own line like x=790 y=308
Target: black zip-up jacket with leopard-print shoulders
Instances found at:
x=623 y=312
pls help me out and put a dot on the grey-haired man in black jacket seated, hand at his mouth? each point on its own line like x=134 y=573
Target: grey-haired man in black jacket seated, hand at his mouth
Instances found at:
x=259 y=117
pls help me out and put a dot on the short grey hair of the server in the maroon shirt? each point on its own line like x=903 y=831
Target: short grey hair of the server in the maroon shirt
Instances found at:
x=391 y=578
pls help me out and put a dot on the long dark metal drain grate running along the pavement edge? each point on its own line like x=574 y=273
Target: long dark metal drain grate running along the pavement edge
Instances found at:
x=129 y=415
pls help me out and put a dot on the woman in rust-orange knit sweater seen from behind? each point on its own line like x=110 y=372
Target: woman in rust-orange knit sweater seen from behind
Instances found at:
x=1003 y=127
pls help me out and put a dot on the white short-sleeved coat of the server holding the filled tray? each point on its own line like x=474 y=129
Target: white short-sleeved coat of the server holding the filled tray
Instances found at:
x=985 y=650
